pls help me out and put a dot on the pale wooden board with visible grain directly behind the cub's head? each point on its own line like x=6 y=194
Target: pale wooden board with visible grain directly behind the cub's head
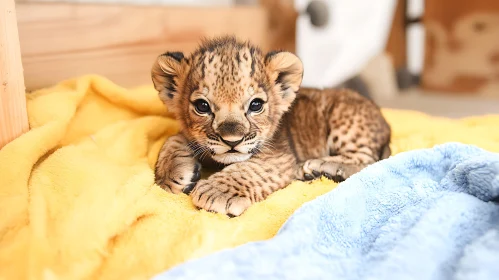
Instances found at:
x=120 y=42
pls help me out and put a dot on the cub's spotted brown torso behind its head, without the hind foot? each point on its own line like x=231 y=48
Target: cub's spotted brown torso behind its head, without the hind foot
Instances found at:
x=321 y=121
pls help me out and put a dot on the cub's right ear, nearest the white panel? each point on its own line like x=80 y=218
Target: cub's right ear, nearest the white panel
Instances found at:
x=285 y=70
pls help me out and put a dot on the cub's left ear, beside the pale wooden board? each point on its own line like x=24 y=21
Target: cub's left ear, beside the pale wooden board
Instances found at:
x=166 y=74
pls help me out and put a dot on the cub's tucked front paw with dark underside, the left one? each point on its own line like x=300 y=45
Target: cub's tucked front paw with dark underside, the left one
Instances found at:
x=180 y=174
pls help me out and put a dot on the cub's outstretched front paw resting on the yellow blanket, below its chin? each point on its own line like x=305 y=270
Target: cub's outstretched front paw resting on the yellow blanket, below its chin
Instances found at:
x=215 y=196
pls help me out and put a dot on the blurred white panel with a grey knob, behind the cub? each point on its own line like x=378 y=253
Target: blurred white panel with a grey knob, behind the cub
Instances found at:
x=357 y=31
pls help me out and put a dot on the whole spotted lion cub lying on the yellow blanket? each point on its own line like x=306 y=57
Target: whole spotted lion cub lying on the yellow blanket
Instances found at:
x=244 y=112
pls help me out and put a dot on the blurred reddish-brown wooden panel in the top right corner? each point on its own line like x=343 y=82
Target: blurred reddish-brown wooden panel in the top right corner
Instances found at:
x=461 y=47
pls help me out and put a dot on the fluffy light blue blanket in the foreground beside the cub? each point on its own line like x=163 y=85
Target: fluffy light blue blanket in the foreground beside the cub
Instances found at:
x=424 y=214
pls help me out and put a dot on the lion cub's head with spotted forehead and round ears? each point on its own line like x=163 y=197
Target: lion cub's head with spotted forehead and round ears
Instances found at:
x=228 y=95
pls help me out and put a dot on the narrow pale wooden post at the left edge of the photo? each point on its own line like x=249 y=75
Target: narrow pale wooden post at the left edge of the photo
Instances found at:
x=13 y=114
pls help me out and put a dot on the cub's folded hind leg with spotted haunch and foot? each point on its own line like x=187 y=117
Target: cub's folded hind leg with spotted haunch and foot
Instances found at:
x=358 y=136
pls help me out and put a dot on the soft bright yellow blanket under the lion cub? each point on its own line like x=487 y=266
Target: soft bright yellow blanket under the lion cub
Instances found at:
x=78 y=201
